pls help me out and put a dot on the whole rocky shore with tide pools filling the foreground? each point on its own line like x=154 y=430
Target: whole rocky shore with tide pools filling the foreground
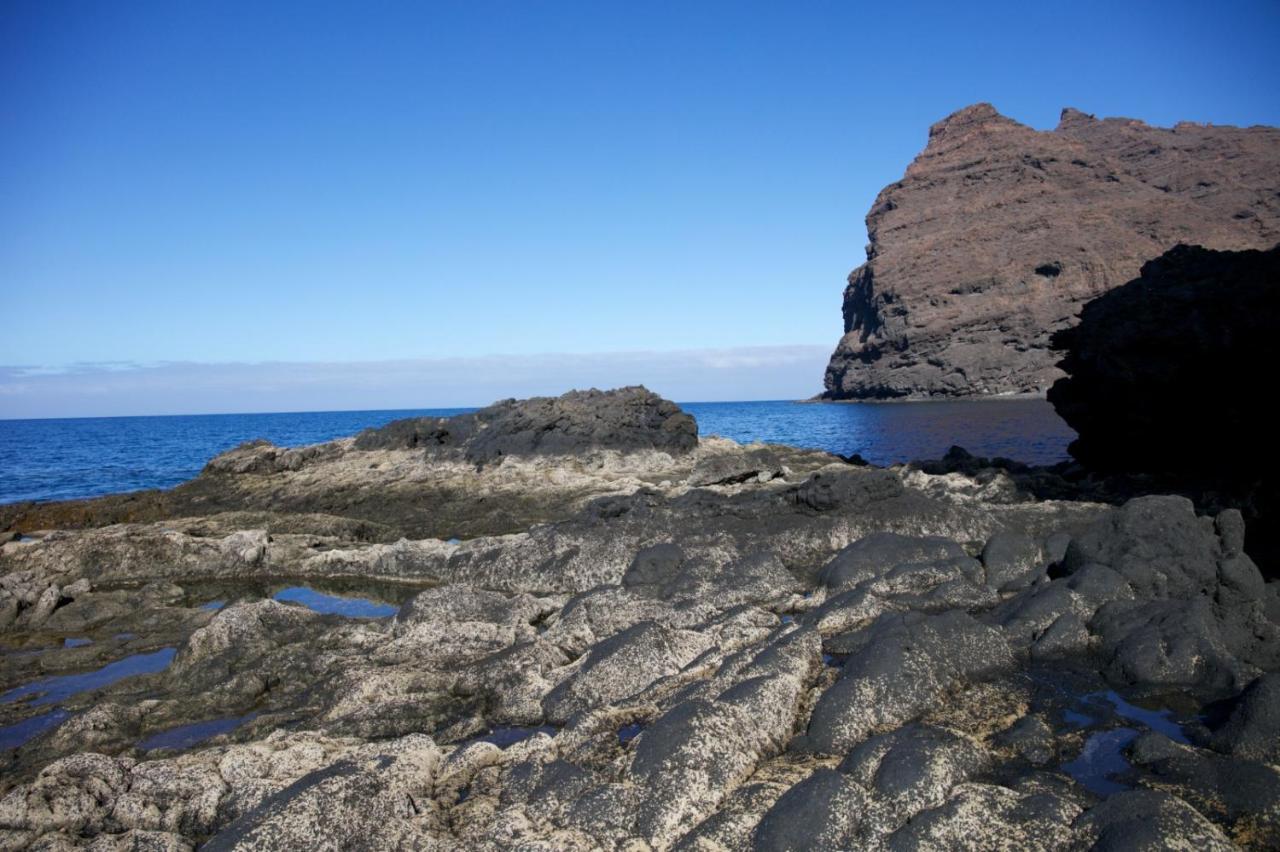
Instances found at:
x=611 y=633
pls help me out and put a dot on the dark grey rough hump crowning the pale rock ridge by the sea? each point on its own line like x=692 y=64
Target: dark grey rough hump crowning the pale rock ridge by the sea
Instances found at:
x=628 y=419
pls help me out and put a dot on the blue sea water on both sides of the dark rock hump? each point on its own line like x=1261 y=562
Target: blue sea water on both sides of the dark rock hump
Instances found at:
x=60 y=460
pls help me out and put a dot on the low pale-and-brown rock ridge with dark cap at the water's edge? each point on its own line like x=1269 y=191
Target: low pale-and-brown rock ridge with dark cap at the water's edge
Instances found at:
x=469 y=475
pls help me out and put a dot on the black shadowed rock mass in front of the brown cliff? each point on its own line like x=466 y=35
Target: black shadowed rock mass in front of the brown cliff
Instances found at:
x=1168 y=377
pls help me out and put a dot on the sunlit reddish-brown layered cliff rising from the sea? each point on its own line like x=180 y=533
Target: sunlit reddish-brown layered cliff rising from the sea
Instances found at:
x=999 y=233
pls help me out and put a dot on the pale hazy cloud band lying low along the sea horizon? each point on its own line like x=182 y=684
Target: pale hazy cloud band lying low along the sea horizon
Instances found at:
x=120 y=388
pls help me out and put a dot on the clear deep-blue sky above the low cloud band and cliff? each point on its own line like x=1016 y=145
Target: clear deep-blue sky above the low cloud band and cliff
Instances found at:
x=358 y=182
